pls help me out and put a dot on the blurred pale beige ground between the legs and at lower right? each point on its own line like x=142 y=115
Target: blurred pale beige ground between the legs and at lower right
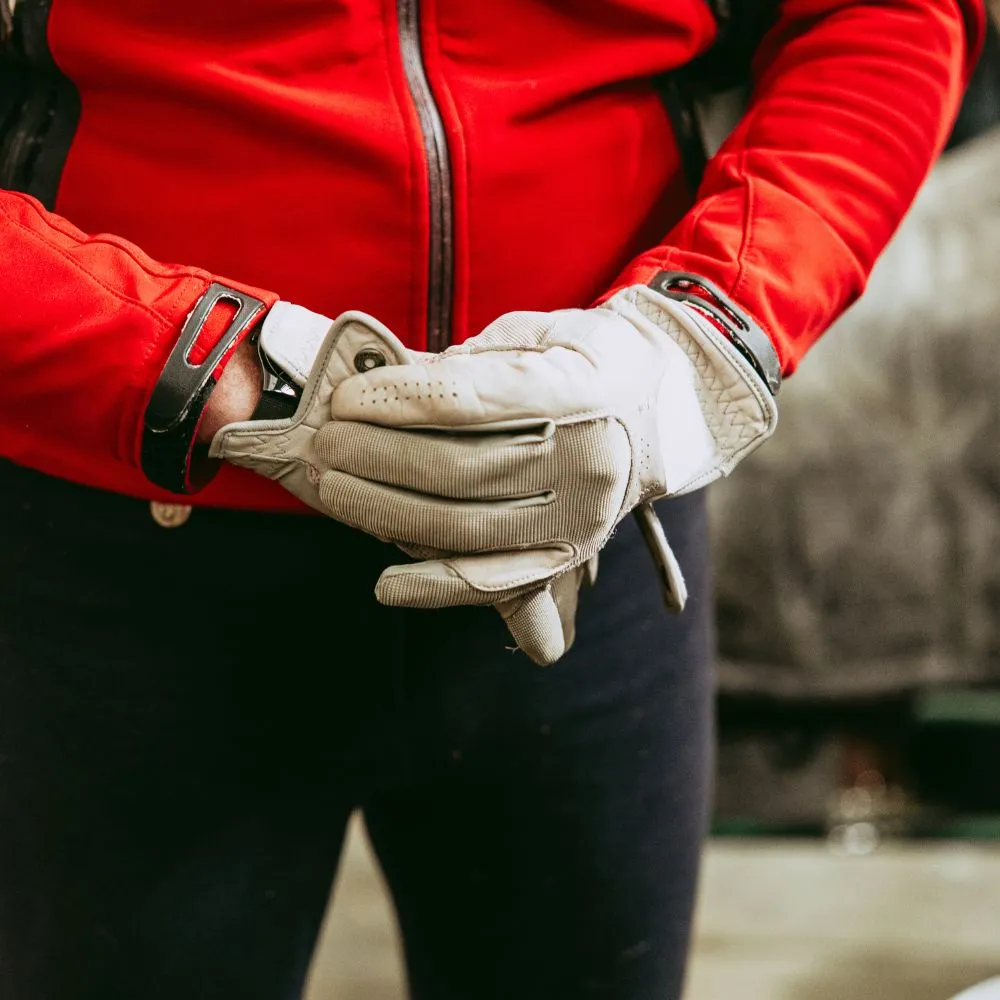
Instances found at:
x=778 y=920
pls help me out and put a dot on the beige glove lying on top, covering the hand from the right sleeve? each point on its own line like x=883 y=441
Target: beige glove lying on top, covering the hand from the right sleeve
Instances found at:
x=520 y=451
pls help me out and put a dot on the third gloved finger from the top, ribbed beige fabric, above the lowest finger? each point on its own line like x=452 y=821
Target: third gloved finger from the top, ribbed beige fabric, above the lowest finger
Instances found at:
x=399 y=515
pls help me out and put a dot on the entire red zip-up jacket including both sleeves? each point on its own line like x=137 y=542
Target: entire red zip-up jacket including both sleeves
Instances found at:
x=293 y=148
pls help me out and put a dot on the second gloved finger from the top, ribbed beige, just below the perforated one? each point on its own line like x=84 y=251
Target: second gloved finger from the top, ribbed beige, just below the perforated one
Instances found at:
x=457 y=466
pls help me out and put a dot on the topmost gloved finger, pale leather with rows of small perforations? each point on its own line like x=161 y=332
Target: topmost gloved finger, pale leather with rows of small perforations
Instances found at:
x=468 y=390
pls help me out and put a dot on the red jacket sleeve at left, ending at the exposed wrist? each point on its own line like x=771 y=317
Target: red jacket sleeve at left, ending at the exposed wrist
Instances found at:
x=86 y=325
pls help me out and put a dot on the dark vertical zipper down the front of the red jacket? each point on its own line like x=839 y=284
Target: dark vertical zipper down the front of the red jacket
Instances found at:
x=441 y=256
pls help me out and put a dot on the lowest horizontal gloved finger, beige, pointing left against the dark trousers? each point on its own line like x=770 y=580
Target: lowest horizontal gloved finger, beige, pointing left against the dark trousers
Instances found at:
x=491 y=578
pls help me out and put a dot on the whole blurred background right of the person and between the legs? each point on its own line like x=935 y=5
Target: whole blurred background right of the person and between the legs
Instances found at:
x=856 y=835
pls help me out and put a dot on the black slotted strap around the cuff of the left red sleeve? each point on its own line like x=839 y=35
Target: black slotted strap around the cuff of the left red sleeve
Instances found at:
x=179 y=398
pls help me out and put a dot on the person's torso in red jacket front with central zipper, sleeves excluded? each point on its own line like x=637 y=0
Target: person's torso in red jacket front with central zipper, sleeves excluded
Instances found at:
x=434 y=162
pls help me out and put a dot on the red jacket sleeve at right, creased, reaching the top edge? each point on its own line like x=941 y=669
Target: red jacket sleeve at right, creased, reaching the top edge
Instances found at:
x=853 y=102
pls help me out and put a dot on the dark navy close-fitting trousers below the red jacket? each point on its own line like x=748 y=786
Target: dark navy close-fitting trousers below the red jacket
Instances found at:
x=189 y=716
